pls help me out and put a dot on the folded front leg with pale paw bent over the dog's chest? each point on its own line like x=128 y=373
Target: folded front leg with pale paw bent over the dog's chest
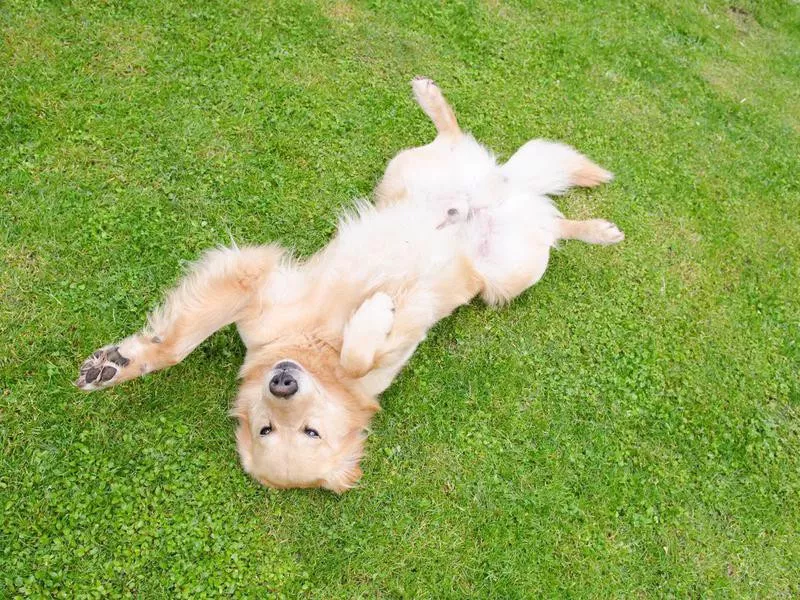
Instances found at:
x=365 y=333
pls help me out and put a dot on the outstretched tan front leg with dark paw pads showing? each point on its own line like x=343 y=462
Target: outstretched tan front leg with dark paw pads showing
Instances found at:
x=214 y=293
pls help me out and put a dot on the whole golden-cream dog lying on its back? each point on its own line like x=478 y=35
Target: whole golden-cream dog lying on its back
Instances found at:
x=326 y=336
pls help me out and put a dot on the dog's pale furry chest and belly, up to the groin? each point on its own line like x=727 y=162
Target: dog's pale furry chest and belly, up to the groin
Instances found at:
x=398 y=251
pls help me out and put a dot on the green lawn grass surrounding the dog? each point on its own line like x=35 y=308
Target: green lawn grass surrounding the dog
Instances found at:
x=628 y=428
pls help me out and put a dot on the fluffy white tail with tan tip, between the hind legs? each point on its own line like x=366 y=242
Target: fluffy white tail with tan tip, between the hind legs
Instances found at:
x=544 y=167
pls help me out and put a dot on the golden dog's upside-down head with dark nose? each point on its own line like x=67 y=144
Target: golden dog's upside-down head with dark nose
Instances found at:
x=301 y=424
